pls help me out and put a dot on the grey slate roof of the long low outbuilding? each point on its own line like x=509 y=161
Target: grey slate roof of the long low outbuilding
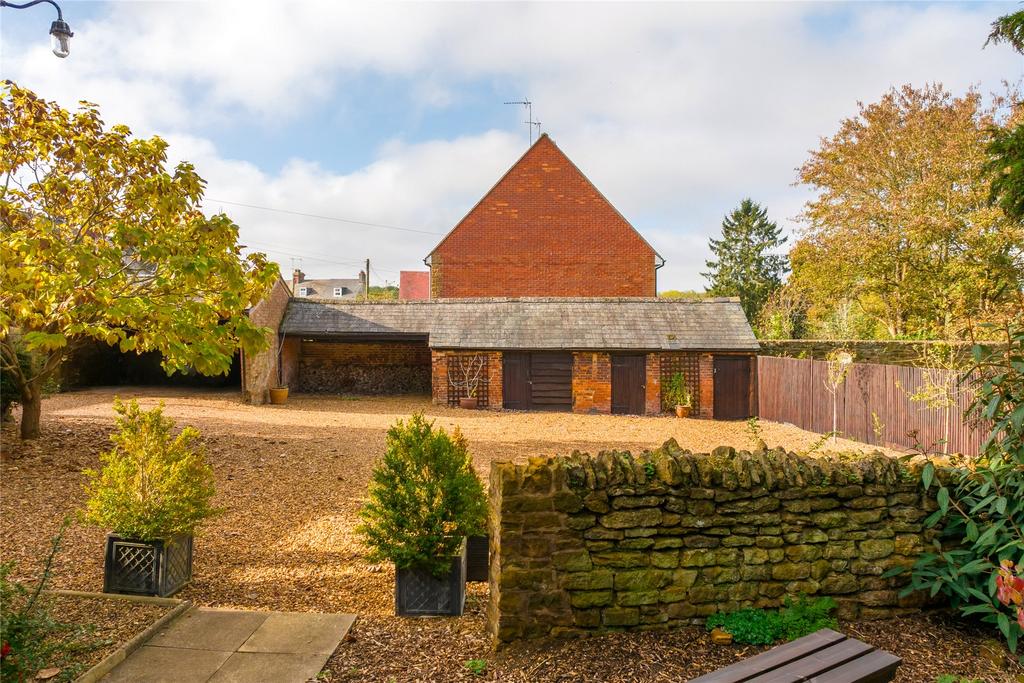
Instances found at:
x=534 y=324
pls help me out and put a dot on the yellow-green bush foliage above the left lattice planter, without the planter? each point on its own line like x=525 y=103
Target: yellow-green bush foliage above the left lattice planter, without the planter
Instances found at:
x=153 y=485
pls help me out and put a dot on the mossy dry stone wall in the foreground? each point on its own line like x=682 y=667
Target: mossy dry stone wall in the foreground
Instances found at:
x=588 y=544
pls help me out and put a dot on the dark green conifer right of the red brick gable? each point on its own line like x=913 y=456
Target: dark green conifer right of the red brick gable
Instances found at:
x=747 y=264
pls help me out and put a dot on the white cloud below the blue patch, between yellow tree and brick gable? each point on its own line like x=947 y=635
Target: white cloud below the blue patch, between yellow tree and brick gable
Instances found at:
x=421 y=187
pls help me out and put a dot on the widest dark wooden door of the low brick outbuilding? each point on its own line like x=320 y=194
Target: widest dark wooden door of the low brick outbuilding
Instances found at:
x=539 y=381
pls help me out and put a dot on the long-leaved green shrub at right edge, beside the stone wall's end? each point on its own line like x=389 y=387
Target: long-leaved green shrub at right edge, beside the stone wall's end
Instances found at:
x=982 y=500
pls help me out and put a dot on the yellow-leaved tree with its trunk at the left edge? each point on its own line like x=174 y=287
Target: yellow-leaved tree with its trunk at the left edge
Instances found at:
x=102 y=241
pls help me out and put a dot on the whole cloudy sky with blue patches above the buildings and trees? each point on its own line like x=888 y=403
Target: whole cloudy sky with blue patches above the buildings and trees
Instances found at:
x=393 y=115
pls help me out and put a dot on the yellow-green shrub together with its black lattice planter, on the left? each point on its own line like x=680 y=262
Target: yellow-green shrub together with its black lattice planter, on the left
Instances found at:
x=152 y=493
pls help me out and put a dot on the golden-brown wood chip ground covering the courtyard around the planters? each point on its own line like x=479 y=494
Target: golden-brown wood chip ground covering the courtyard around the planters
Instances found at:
x=290 y=483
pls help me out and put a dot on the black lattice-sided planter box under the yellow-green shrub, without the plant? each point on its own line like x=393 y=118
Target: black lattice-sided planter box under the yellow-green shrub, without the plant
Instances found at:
x=147 y=568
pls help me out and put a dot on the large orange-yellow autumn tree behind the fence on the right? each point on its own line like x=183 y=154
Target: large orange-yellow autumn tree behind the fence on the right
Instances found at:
x=902 y=227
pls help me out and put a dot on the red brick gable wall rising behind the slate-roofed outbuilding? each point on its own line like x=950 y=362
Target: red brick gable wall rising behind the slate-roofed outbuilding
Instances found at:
x=543 y=231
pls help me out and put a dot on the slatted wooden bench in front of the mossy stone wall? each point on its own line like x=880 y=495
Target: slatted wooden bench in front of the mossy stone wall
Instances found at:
x=824 y=657
